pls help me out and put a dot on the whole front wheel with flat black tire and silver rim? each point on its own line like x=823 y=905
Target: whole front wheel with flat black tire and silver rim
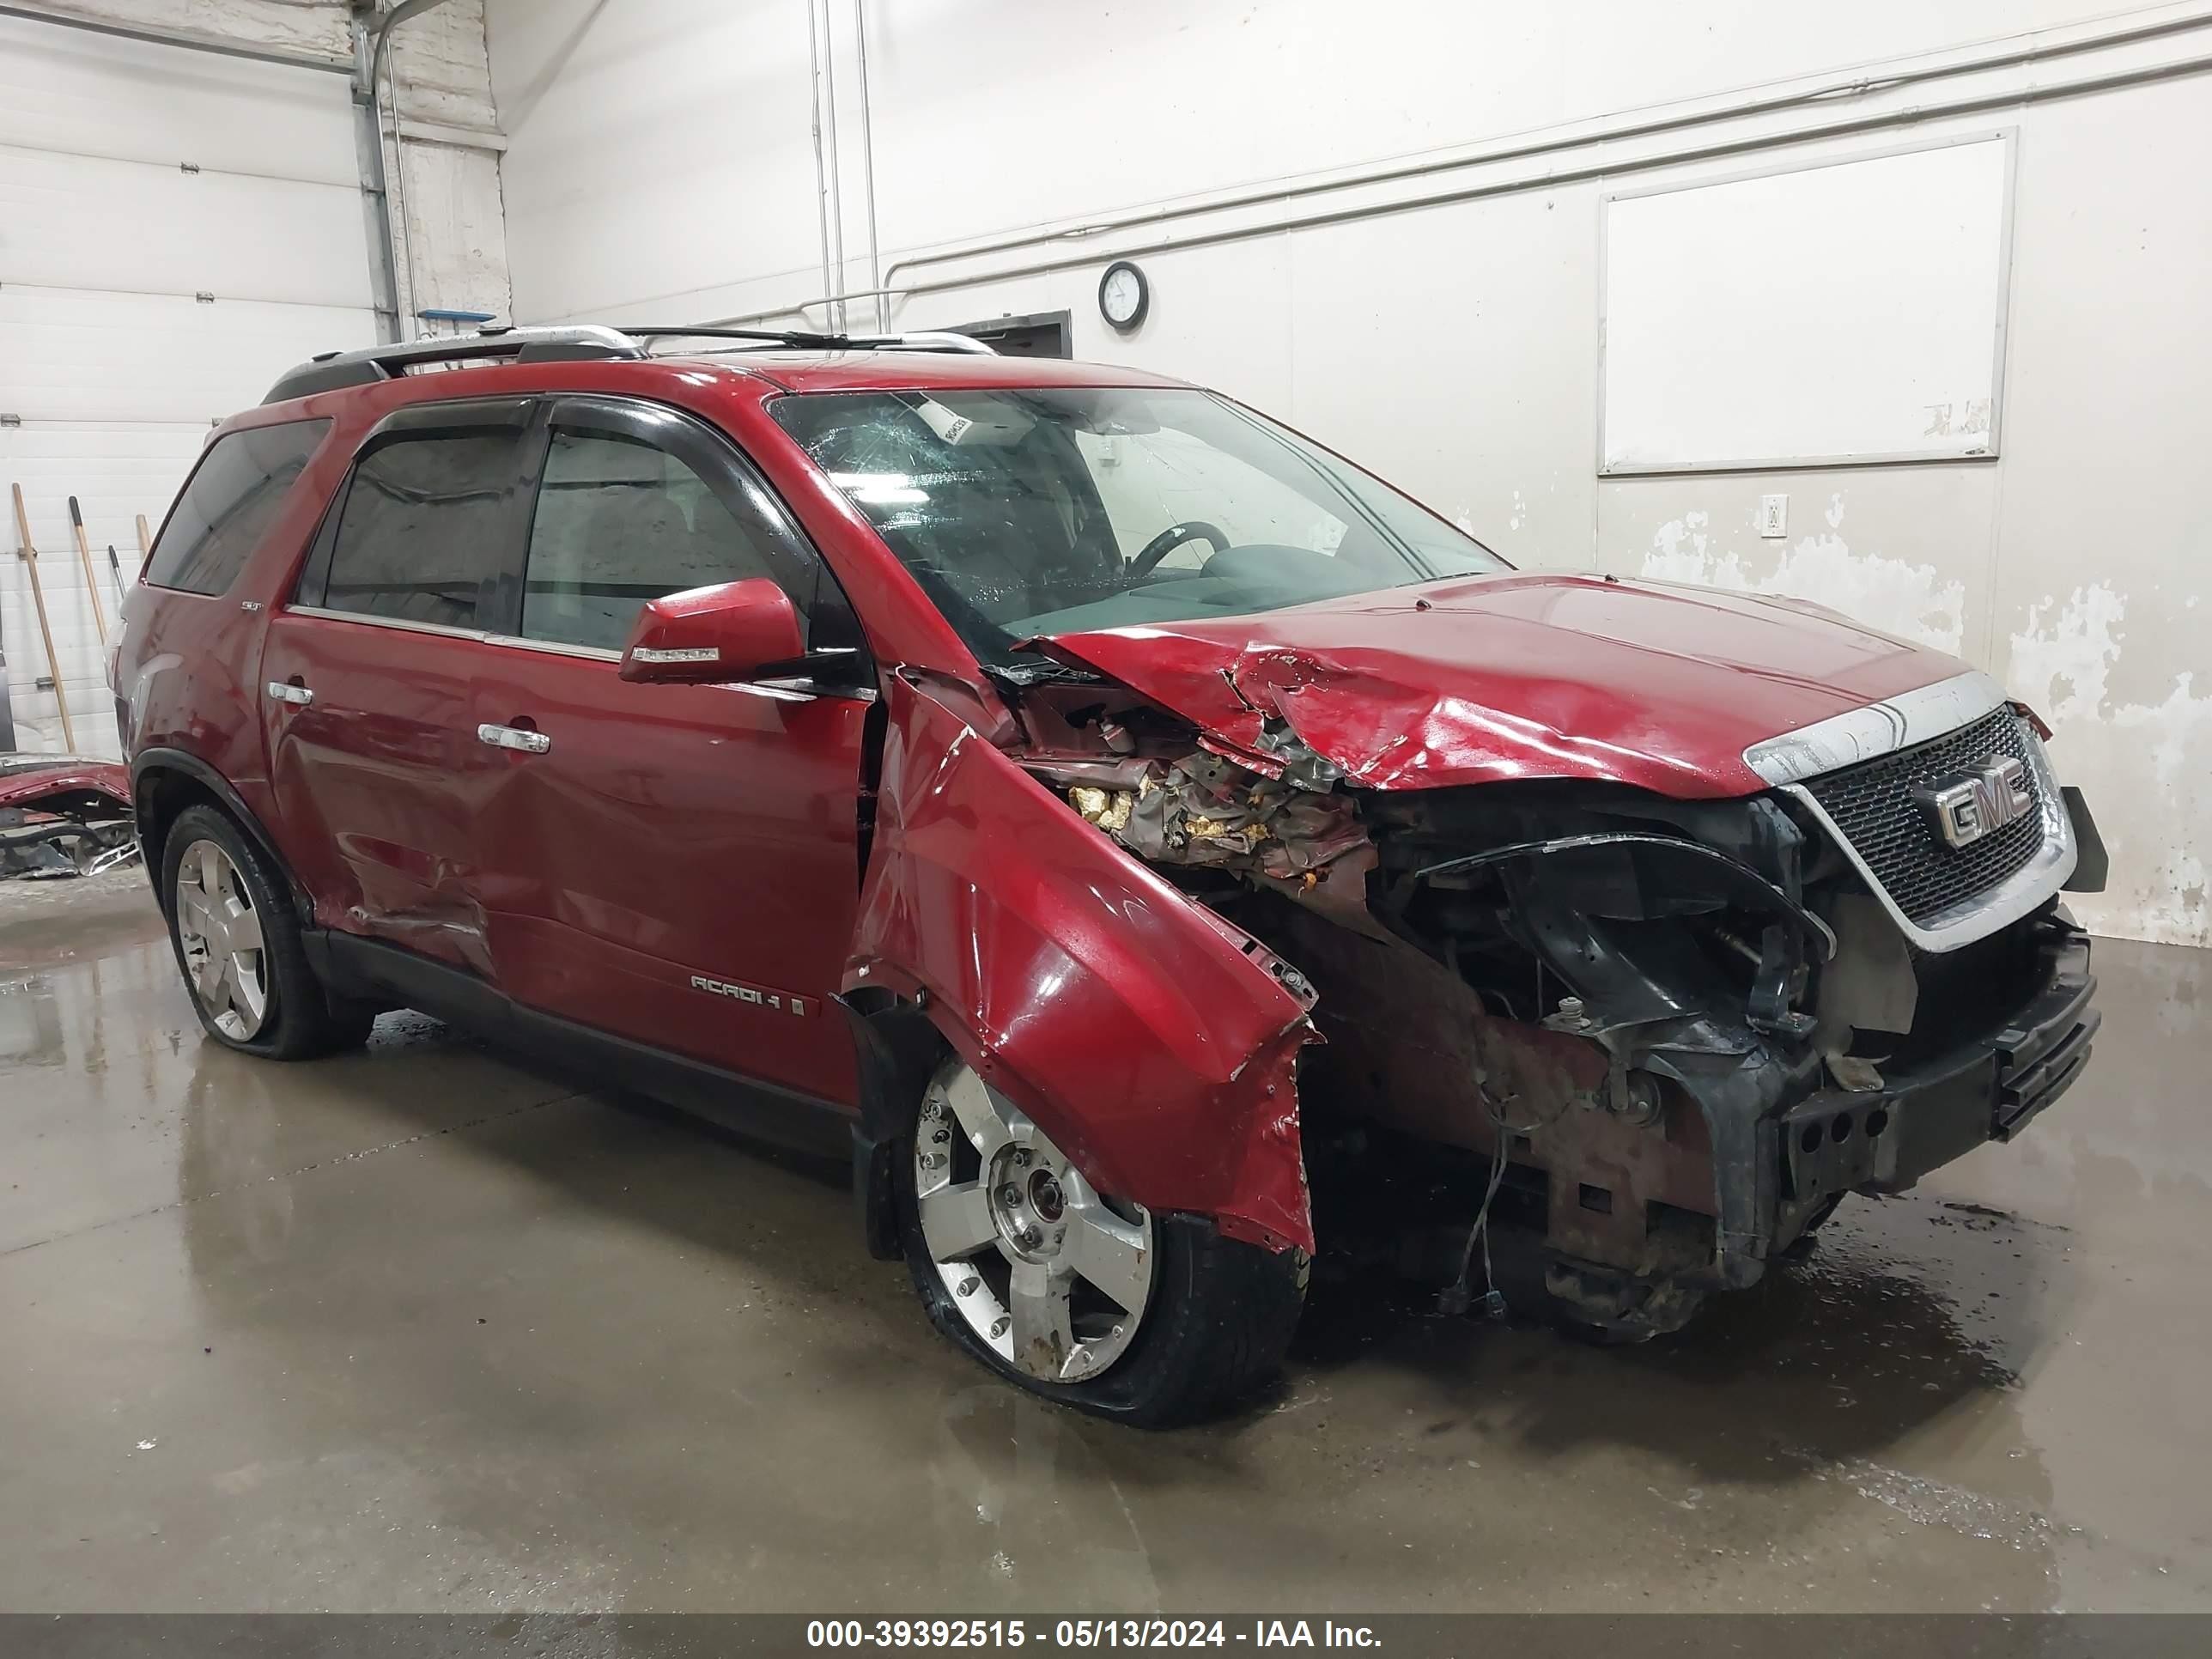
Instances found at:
x=1215 y=1315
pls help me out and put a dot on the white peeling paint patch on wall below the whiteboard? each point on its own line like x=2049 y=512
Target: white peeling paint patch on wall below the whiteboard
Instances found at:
x=1908 y=601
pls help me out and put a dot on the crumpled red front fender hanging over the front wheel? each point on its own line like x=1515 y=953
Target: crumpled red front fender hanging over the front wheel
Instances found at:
x=1156 y=1043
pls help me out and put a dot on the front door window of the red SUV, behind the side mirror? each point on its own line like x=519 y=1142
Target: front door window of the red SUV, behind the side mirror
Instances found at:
x=623 y=521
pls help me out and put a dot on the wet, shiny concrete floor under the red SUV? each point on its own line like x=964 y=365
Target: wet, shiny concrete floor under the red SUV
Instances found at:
x=419 y=1328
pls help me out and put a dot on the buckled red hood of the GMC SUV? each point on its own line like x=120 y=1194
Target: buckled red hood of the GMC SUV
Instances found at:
x=1514 y=678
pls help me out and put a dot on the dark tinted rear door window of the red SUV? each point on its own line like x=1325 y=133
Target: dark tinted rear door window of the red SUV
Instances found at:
x=424 y=530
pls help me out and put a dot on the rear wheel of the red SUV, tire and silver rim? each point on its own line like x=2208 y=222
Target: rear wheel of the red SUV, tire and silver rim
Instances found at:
x=260 y=999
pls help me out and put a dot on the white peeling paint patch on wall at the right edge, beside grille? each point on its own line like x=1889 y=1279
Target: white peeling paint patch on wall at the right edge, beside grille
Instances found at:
x=2147 y=766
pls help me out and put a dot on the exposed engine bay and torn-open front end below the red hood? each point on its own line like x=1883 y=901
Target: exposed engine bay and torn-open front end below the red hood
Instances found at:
x=1649 y=1043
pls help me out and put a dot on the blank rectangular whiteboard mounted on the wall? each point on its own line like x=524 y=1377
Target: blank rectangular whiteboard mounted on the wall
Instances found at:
x=1826 y=315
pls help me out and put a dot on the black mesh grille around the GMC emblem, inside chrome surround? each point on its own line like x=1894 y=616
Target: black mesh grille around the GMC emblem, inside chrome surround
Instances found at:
x=1872 y=804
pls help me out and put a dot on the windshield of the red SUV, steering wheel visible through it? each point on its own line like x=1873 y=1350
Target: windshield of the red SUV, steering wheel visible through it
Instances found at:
x=1039 y=512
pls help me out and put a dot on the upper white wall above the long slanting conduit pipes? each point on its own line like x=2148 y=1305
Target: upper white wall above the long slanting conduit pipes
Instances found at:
x=680 y=127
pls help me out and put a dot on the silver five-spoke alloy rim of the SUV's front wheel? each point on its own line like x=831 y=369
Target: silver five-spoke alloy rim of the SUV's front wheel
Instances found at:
x=1047 y=1273
